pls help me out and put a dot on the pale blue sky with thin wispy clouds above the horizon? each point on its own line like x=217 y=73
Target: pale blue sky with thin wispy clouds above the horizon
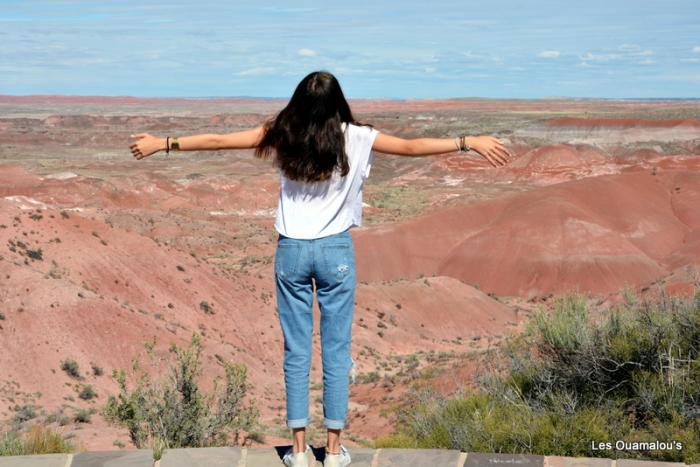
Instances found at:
x=377 y=49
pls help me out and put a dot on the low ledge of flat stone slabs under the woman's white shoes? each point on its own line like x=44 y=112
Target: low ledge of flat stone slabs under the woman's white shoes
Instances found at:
x=270 y=457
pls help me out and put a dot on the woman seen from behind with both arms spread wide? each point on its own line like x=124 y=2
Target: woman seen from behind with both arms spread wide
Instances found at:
x=324 y=156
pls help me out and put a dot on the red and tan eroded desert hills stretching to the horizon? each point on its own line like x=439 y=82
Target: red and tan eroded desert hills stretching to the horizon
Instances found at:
x=101 y=253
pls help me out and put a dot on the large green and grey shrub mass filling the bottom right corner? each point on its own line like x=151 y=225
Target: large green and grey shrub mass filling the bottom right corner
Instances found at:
x=632 y=375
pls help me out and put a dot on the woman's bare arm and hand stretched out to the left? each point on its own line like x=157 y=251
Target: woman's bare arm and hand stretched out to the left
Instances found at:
x=147 y=144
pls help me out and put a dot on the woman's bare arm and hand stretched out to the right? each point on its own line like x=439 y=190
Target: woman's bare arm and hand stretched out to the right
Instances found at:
x=489 y=147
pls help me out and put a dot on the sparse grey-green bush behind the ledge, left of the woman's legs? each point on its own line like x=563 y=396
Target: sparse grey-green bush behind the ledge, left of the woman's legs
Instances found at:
x=175 y=411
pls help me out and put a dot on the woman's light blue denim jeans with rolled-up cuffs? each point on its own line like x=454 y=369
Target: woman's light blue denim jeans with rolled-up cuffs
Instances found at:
x=330 y=262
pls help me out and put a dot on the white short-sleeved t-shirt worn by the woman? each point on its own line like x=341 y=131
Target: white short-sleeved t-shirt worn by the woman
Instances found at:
x=309 y=210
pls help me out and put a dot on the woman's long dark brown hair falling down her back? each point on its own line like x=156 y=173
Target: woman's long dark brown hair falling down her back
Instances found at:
x=306 y=135
